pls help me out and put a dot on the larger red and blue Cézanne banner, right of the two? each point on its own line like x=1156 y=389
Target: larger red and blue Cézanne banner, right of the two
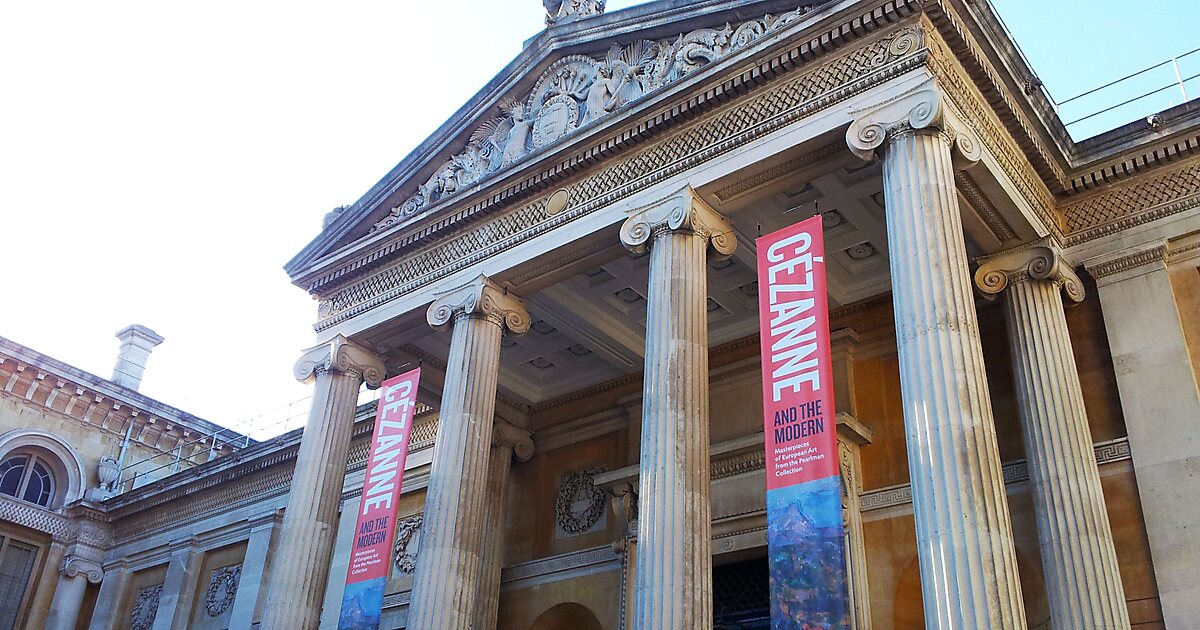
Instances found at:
x=805 y=527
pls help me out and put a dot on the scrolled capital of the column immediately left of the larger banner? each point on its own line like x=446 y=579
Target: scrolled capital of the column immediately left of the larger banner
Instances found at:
x=682 y=212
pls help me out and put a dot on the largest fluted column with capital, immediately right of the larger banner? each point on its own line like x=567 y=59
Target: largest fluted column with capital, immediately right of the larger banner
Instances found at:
x=964 y=536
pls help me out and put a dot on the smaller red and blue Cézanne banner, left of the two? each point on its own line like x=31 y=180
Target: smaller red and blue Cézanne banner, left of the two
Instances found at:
x=371 y=553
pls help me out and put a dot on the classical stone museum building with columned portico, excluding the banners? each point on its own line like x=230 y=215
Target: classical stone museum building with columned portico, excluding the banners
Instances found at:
x=571 y=260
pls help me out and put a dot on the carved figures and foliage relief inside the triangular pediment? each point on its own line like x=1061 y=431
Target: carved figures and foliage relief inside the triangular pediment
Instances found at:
x=575 y=92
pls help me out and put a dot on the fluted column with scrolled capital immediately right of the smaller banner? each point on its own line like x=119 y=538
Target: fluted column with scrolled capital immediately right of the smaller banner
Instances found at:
x=446 y=584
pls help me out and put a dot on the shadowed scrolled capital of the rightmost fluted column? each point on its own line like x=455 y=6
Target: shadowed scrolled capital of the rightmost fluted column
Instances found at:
x=1042 y=261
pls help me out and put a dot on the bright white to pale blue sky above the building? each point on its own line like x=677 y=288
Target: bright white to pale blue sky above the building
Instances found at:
x=161 y=161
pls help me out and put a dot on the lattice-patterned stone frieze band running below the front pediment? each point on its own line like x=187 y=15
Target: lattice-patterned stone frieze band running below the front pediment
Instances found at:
x=889 y=56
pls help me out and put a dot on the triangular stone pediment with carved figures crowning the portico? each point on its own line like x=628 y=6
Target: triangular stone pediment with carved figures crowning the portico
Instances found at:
x=548 y=99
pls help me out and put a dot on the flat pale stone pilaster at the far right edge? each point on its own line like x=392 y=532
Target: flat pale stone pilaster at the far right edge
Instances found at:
x=1145 y=322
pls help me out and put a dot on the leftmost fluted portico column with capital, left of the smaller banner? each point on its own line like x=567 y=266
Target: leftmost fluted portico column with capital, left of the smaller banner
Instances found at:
x=301 y=566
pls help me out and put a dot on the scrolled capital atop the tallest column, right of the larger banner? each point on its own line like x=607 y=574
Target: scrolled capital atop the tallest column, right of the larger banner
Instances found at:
x=920 y=110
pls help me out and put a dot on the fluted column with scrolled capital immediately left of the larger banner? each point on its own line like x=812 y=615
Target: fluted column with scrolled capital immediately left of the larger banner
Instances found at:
x=675 y=567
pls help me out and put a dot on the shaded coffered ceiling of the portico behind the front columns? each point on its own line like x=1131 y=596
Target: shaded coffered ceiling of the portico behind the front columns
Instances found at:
x=590 y=317
